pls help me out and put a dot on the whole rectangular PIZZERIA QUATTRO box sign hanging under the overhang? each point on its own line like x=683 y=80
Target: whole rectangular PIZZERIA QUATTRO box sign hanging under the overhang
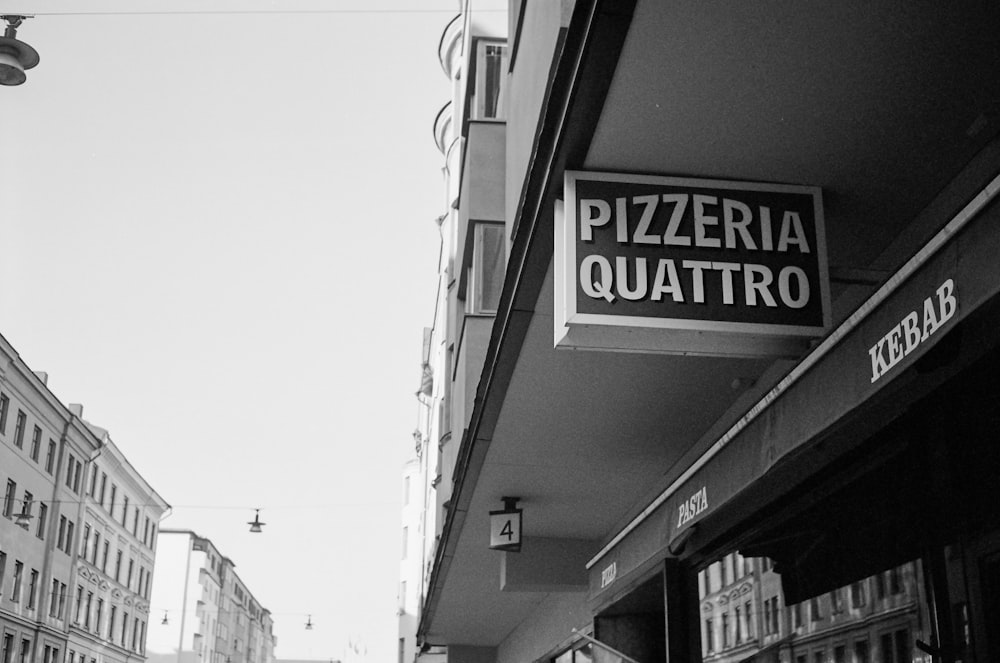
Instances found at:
x=658 y=264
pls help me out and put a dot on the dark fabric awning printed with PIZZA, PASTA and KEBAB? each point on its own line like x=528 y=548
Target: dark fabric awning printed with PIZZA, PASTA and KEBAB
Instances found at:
x=859 y=363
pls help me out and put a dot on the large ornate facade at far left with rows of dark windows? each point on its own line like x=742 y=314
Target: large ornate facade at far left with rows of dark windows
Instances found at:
x=60 y=601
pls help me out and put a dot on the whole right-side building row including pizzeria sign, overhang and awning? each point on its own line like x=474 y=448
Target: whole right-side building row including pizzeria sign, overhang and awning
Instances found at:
x=727 y=372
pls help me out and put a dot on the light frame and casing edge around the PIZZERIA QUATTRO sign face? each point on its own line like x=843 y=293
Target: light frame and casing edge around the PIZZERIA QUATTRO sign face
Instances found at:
x=575 y=329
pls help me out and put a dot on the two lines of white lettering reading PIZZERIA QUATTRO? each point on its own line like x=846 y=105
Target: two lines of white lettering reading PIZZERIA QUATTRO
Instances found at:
x=678 y=223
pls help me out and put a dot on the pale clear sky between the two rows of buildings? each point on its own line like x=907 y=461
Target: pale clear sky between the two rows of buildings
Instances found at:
x=217 y=234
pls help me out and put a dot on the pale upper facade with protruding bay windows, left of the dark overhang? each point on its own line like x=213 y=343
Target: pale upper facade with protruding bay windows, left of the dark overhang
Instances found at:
x=469 y=132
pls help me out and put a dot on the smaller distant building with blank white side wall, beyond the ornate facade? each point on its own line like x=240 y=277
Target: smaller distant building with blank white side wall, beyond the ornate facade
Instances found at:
x=208 y=612
